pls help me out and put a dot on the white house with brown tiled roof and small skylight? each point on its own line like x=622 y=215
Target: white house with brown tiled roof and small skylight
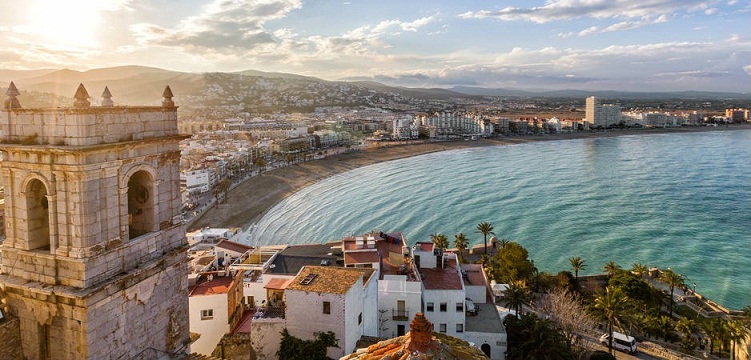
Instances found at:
x=340 y=300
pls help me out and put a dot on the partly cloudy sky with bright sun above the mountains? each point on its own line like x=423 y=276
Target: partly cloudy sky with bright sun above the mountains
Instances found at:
x=631 y=45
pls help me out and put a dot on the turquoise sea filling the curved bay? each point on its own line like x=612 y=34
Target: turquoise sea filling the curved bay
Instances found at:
x=678 y=200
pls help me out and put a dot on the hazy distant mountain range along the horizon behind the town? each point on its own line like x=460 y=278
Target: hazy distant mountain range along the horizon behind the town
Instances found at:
x=143 y=85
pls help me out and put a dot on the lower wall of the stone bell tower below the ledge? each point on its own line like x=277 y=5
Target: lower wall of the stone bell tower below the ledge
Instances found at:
x=141 y=310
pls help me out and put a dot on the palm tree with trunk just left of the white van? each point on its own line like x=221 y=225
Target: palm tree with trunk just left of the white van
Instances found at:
x=614 y=308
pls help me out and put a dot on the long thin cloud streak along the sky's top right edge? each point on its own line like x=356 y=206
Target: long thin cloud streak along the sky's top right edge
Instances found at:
x=557 y=10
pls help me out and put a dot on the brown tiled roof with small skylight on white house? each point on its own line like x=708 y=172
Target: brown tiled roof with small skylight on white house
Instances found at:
x=330 y=280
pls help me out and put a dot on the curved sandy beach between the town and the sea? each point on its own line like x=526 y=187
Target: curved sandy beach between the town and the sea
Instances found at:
x=250 y=200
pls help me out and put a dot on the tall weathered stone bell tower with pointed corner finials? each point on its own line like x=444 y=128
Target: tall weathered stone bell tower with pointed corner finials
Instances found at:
x=94 y=260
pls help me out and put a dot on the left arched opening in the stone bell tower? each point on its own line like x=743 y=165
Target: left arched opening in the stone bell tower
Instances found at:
x=38 y=216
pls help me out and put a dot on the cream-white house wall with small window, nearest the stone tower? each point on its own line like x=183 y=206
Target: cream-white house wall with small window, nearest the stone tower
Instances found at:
x=209 y=318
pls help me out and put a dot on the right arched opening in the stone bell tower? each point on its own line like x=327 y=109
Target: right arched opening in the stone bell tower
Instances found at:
x=140 y=204
